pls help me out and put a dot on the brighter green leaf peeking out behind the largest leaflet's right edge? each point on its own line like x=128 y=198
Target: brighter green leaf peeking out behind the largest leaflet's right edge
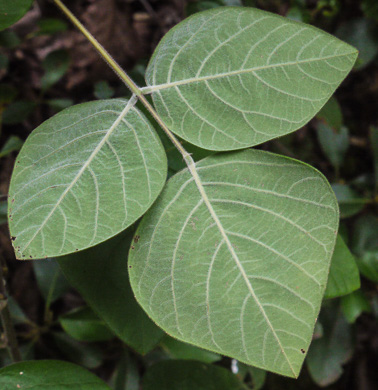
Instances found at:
x=344 y=276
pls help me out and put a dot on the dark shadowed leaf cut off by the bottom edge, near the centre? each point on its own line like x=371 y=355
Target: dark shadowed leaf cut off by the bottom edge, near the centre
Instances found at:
x=189 y=375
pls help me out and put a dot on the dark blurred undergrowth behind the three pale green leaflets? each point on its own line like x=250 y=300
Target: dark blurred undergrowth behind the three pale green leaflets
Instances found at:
x=46 y=66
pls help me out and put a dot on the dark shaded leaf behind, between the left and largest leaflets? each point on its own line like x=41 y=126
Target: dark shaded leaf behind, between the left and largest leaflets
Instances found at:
x=100 y=275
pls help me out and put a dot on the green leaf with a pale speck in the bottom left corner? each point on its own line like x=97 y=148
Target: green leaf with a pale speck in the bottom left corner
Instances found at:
x=47 y=375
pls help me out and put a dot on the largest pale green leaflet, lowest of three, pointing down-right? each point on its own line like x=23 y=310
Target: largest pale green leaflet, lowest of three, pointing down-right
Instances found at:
x=245 y=276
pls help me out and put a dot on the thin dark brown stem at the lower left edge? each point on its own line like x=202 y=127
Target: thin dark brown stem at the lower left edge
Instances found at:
x=10 y=334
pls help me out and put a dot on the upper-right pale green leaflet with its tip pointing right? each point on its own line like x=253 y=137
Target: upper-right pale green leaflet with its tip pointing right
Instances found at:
x=229 y=78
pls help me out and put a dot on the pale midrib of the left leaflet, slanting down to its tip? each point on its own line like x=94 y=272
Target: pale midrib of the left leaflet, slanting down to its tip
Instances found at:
x=124 y=112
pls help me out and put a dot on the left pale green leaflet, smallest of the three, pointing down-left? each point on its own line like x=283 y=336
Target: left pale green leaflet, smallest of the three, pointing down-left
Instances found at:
x=82 y=177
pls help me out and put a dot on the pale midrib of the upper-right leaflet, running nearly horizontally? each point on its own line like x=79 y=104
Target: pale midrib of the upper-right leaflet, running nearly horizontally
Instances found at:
x=153 y=88
